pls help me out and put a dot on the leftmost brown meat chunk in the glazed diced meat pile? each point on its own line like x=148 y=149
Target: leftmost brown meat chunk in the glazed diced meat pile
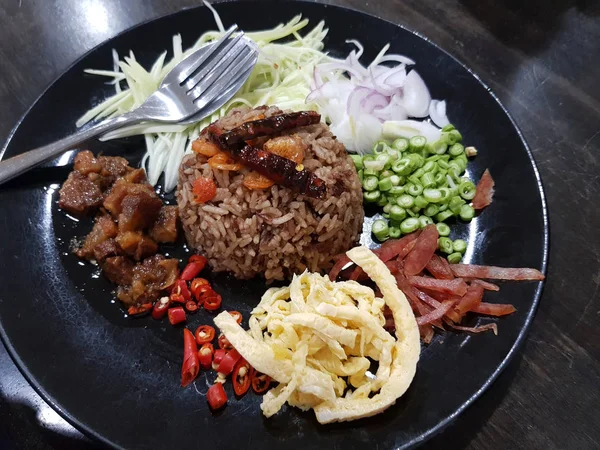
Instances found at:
x=79 y=195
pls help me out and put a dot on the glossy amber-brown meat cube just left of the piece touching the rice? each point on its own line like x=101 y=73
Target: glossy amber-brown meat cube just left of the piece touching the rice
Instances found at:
x=139 y=211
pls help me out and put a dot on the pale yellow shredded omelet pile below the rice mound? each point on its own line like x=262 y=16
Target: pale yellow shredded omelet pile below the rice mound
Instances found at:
x=319 y=339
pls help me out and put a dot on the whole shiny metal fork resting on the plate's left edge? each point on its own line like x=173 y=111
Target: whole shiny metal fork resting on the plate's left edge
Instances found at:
x=196 y=87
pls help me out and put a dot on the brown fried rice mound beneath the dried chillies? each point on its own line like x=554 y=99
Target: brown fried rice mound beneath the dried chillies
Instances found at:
x=273 y=232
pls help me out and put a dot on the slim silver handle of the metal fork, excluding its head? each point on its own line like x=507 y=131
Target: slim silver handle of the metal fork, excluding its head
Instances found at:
x=22 y=163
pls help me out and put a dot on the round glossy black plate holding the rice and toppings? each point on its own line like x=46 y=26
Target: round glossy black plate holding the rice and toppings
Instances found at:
x=118 y=379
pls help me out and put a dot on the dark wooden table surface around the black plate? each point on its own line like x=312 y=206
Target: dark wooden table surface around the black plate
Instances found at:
x=542 y=58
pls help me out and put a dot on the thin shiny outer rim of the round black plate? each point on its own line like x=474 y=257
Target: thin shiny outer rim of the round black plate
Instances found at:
x=444 y=423
